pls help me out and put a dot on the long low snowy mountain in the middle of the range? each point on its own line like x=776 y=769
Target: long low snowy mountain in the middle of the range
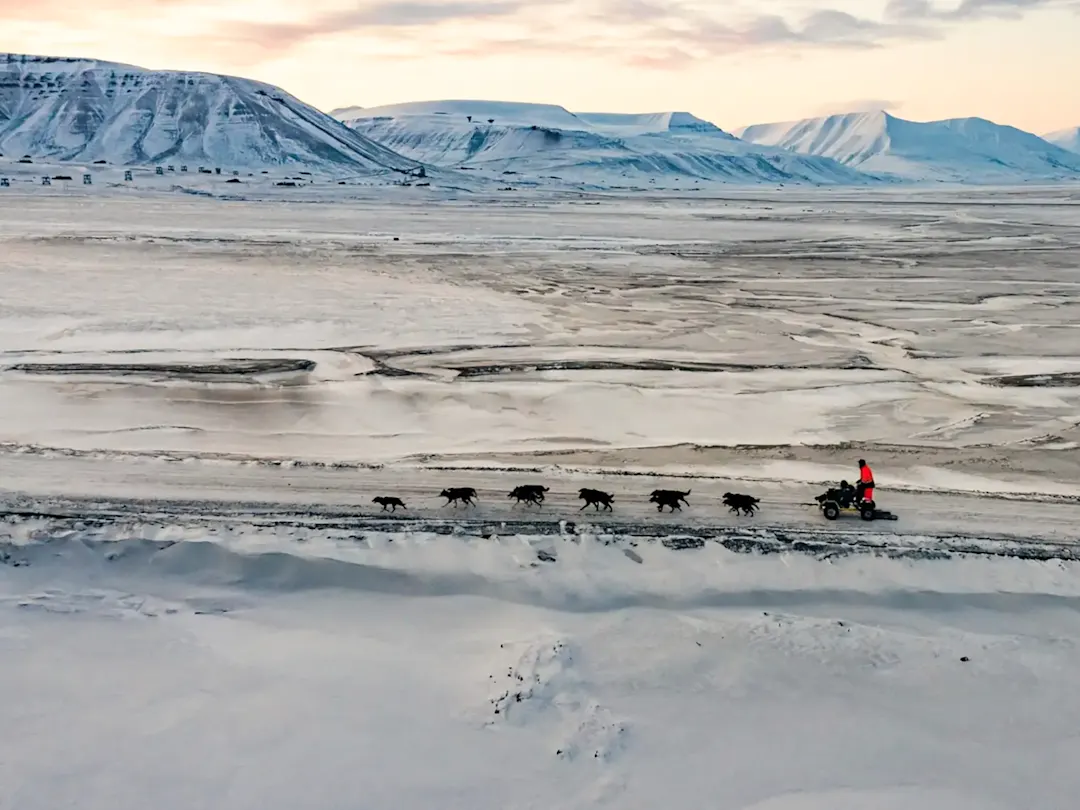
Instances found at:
x=548 y=142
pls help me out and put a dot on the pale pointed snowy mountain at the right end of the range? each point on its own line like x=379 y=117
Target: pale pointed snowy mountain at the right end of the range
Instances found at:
x=966 y=151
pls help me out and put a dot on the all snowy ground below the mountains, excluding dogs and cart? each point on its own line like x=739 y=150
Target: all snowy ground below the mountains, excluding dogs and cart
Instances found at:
x=200 y=397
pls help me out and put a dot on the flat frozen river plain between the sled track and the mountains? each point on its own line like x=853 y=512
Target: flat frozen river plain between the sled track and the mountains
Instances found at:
x=938 y=333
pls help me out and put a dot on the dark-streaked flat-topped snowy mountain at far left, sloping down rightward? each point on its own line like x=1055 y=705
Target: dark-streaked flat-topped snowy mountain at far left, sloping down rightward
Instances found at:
x=84 y=110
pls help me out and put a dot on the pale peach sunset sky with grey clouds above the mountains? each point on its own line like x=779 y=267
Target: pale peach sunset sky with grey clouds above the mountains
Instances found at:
x=735 y=63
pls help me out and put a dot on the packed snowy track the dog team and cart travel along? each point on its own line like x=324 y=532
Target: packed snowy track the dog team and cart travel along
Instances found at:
x=340 y=501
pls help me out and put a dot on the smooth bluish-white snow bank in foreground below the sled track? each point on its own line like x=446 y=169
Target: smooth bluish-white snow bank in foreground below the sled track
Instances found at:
x=174 y=666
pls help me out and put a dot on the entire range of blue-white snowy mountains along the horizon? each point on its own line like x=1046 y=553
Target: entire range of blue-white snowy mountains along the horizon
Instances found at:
x=74 y=110
